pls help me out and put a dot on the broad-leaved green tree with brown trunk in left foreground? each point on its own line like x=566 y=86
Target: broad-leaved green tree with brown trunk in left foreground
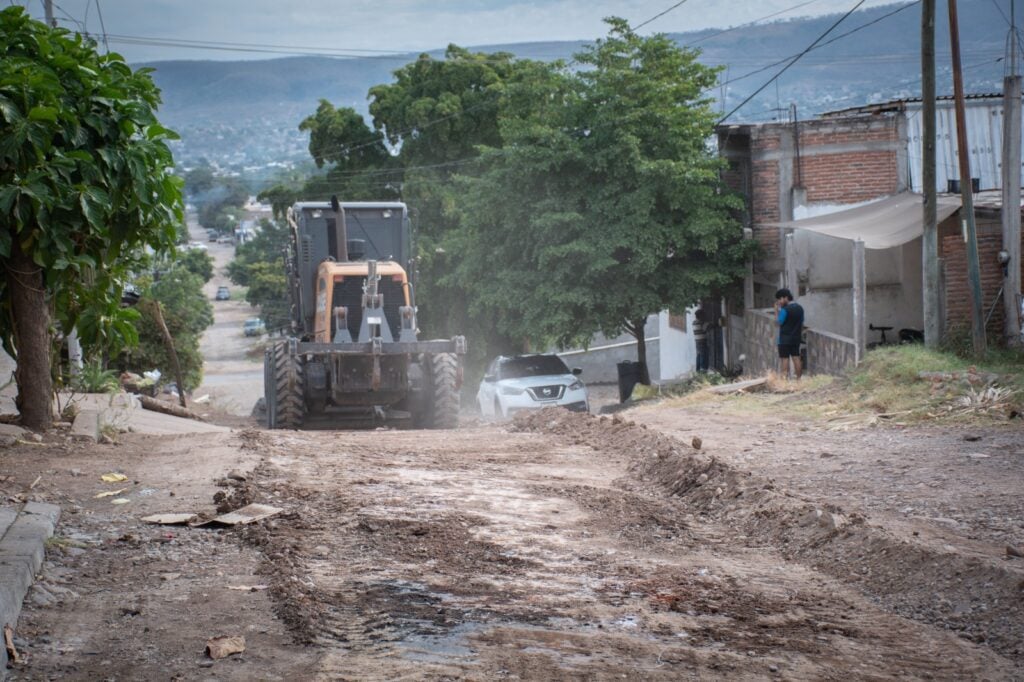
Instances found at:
x=84 y=180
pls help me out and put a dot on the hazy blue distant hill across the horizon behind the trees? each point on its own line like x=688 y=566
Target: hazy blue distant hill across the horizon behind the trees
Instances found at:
x=245 y=114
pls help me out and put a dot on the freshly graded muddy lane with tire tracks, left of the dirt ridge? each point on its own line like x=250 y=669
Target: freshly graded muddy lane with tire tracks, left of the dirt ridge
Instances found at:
x=484 y=555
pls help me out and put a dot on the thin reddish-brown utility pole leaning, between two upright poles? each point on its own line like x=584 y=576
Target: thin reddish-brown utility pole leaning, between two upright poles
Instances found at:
x=967 y=190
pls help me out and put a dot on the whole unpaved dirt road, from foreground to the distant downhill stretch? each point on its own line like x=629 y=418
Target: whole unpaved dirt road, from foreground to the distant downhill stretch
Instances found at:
x=561 y=546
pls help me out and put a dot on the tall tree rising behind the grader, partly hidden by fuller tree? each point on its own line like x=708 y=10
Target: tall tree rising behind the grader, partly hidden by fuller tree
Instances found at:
x=440 y=113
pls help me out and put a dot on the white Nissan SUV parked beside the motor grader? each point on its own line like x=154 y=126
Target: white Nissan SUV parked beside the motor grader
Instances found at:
x=530 y=382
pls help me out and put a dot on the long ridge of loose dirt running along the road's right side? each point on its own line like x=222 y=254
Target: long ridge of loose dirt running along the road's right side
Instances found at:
x=979 y=598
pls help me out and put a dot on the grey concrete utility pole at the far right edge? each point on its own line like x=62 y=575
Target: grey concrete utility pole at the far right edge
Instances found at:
x=1012 y=193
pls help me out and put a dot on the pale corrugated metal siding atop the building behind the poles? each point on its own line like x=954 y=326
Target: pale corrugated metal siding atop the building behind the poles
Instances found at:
x=985 y=131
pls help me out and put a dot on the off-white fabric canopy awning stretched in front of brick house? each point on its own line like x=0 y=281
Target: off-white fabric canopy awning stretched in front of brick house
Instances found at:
x=883 y=225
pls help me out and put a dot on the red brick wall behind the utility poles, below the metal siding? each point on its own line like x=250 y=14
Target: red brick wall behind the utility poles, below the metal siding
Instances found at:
x=958 y=293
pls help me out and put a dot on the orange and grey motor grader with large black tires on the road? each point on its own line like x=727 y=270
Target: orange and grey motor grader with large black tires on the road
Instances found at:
x=354 y=358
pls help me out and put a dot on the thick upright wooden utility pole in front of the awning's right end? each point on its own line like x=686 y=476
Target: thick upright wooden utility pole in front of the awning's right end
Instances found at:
x=930 y=239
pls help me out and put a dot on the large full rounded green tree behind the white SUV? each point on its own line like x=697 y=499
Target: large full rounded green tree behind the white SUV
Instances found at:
x=626 y=216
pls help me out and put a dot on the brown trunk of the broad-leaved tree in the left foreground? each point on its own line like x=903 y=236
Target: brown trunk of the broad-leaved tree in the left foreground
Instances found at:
x=31 y=317
